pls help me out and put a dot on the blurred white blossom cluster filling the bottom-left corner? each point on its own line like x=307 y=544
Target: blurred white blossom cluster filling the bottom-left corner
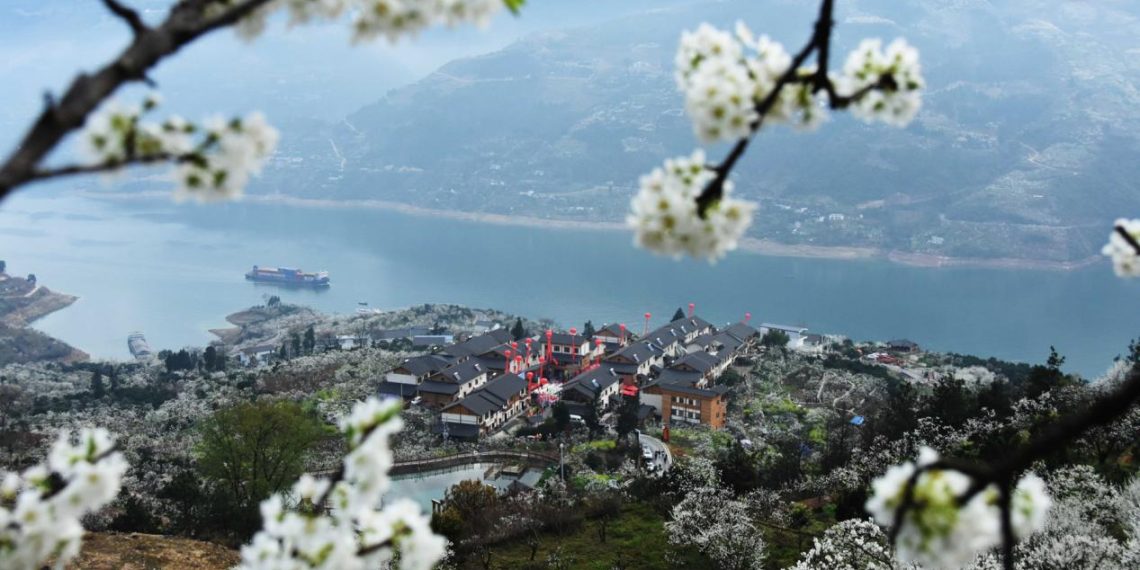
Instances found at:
x=40 y=509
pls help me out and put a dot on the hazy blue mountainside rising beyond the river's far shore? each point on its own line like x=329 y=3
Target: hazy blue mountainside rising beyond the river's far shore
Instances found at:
x=1027 y=146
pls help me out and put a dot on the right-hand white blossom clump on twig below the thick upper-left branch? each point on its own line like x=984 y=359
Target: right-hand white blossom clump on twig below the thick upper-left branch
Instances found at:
x=235 y=151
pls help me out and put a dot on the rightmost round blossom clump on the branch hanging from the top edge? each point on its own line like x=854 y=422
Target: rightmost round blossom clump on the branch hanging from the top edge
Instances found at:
x=897 y=103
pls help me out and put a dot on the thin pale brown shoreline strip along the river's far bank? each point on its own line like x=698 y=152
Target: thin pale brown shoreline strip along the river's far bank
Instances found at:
x=753 y=246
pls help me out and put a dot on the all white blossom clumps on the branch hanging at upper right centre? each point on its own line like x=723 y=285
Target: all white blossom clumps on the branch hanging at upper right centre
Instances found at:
x=726 y=79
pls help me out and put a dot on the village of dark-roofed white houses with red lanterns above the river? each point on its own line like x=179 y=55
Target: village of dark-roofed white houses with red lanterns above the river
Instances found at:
x=494 y=382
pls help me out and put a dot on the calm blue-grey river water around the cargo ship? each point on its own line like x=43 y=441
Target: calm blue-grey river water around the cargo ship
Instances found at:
x=175 y=272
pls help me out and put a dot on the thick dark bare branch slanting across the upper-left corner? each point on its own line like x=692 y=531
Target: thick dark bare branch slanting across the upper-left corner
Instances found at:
x=188 y=21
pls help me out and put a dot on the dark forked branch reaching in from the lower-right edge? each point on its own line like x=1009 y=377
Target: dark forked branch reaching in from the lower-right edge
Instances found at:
x=1104 y=411
